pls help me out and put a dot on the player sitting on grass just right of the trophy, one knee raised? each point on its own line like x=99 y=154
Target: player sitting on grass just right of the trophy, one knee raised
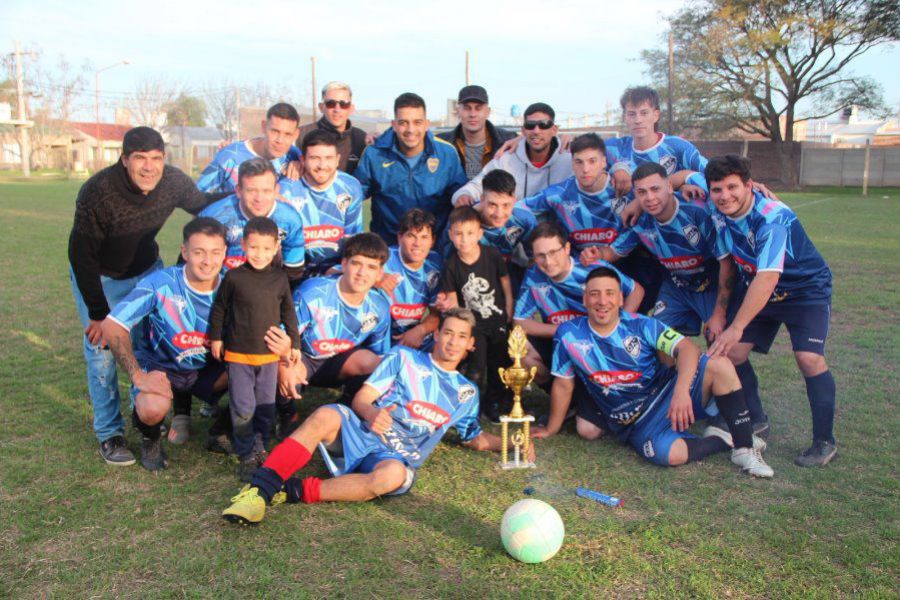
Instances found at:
x=632 y=392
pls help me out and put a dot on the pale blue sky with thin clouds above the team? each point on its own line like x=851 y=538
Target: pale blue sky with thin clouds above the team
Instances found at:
x=577 y=56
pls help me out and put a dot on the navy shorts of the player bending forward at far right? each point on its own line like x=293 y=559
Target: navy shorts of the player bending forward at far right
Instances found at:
x=807 y=325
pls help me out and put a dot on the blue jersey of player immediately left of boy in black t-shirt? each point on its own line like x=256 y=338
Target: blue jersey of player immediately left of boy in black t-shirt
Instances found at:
x=416 y=290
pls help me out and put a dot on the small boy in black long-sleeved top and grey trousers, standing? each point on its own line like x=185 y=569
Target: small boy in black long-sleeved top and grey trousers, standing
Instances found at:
x=252 y=298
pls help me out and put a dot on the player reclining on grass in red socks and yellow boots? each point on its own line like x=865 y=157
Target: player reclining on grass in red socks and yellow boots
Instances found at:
x=397 y=418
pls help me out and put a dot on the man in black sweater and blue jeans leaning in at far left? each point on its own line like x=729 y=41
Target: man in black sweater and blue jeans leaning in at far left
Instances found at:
x=112 y=246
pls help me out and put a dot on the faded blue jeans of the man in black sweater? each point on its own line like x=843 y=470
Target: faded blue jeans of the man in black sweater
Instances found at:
x=103 y=382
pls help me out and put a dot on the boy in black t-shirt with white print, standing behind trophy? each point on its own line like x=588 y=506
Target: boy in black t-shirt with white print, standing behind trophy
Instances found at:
x=475 y=277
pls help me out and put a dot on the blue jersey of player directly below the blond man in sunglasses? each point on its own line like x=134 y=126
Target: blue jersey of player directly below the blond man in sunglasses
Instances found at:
x=328 y=216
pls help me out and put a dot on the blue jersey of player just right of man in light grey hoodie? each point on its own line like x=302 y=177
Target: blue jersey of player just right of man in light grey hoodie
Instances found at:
x=589 y=219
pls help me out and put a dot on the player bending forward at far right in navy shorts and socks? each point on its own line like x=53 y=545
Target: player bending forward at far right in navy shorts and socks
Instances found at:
x=784 y=281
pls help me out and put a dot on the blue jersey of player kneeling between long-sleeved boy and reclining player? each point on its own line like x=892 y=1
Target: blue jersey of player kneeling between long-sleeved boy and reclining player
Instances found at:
x=329 y=325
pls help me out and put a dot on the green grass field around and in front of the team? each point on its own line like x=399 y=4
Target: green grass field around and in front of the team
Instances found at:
x=70 y=526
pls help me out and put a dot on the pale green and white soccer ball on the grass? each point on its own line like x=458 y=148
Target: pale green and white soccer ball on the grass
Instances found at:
x=531 y=531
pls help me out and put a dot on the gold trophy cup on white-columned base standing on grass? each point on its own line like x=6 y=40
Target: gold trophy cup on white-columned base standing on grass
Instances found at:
x=516 y=378
